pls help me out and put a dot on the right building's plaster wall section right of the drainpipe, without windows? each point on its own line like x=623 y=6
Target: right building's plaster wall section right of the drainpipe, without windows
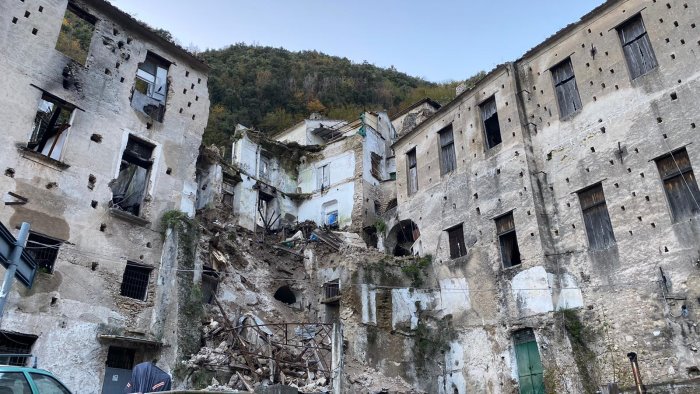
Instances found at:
x=624 y=124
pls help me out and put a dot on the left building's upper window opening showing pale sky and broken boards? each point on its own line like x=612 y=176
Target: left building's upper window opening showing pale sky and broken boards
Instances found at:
x=151 y=87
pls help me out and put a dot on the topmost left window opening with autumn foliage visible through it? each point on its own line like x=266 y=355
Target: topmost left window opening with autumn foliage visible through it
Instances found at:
x=76 y=34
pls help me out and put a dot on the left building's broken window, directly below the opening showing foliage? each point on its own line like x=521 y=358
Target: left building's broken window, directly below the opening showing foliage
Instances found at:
x=51 y=123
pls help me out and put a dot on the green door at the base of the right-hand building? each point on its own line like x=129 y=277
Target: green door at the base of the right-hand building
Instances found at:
x=529 y=363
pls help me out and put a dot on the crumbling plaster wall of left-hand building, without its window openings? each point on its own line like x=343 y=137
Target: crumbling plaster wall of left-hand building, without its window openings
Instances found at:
x=59 y=200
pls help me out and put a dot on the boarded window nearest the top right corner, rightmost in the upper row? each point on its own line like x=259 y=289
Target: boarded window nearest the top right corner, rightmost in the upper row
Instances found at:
x=637 y=47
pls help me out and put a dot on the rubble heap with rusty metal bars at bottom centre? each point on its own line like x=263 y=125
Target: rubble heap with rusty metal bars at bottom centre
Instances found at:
x=255 y=353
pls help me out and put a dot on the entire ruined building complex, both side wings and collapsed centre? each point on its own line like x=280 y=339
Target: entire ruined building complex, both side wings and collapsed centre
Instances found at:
x=528 y=236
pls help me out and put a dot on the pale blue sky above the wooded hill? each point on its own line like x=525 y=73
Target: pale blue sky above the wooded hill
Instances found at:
x=438 y=40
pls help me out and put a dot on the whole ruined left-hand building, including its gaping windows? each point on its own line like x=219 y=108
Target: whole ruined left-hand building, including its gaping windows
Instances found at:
x=102 y=120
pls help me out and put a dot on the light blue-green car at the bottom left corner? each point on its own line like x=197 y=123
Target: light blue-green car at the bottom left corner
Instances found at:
x=25 y=380
